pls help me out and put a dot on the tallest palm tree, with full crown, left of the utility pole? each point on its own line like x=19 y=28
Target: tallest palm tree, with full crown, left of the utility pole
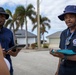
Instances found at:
x=22 y=14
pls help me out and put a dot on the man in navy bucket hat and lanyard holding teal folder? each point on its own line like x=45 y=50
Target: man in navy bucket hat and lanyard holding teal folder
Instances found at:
x=67 y=64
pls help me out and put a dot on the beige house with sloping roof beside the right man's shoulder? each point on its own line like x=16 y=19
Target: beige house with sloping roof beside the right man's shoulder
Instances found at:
x=54 y=39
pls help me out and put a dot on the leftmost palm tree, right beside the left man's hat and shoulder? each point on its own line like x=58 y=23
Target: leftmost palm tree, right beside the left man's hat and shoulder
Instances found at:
x=12 y=22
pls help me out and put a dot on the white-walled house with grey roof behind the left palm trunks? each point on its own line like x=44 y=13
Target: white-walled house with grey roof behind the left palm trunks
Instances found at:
x=21 y=37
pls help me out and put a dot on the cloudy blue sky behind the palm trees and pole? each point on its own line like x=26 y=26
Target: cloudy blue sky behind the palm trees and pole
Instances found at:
x=49 y=8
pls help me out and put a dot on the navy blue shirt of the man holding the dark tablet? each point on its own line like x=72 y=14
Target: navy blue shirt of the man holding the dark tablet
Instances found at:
x=6 y=41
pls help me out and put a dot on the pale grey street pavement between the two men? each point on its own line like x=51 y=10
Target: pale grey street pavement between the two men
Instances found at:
x=34 y=63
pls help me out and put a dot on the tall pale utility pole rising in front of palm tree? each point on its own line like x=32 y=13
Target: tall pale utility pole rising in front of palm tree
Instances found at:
x=38 y=23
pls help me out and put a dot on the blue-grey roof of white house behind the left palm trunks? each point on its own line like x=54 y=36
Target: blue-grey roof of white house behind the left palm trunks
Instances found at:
x=21 y=34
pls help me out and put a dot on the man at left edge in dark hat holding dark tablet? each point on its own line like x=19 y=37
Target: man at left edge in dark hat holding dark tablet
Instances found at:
x=6 y=39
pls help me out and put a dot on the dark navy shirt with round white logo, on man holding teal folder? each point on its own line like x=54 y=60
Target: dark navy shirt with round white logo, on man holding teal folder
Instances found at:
x=67 y=67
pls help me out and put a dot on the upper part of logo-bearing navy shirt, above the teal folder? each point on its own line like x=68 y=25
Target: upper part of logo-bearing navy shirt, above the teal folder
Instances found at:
x=63 y=38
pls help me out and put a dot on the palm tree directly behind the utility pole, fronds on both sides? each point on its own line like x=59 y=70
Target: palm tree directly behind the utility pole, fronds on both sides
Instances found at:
x=44 y=22
